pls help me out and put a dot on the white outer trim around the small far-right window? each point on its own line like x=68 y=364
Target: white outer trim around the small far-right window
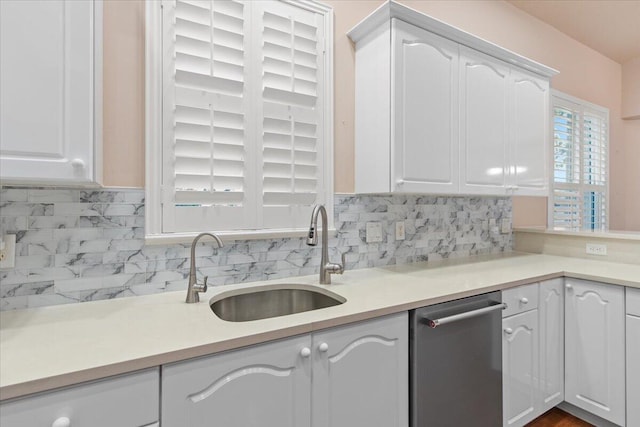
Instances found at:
x=583 y=104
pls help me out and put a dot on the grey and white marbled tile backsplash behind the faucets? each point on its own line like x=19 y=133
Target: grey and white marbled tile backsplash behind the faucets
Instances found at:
x=76 y=245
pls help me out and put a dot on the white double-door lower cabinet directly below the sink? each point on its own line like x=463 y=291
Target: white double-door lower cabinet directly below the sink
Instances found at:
x=354 y=375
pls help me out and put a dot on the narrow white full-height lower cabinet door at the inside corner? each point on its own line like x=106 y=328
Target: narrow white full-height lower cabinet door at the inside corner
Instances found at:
x=551 y=322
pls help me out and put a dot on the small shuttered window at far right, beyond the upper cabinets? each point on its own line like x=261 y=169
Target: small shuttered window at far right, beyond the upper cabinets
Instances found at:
x=580 y=193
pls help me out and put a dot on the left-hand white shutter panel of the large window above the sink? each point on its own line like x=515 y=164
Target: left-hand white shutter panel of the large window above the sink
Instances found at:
x=207 y=155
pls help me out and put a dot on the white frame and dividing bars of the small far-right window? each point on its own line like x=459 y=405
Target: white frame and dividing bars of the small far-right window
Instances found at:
x=559 y=98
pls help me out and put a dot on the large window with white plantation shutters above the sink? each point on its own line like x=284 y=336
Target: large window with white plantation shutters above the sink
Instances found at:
x=239 y=138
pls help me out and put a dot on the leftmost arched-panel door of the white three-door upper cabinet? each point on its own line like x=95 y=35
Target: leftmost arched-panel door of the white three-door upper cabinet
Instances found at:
x=424 y=112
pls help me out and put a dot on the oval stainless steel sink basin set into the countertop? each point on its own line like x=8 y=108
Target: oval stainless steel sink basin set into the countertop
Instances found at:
x=271 y=301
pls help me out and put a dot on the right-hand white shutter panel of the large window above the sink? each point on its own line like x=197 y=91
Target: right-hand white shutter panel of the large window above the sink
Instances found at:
x=290 y=114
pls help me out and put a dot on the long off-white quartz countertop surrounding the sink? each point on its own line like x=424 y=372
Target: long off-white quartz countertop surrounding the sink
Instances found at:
x=51 y=347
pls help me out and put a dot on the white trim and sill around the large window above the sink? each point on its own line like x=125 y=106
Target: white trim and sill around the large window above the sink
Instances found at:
x=153 y=134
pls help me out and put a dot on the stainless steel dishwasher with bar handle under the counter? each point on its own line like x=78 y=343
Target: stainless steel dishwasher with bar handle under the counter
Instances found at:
x=456 y=363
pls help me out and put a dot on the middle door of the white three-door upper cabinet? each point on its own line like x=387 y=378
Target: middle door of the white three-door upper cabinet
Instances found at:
x=483 y=123
